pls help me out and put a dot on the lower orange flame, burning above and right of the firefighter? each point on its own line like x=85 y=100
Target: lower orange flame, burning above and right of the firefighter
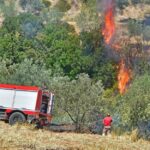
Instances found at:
x=123 y=77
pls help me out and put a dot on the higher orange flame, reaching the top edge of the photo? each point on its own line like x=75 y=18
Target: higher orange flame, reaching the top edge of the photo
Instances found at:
x=109 y=26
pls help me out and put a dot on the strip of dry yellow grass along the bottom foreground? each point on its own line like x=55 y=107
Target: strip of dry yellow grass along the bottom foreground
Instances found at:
x=20 y=137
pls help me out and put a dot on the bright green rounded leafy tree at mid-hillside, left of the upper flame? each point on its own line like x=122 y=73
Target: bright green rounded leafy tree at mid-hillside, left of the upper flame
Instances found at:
x=63 y=48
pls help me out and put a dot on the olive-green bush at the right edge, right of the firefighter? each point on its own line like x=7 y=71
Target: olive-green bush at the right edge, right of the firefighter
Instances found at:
x=135 y=103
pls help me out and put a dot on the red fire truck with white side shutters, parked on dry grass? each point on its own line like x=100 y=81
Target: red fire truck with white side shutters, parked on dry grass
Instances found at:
x=25 y=103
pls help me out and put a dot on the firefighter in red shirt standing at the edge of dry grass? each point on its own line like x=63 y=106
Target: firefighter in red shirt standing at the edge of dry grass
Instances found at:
x=107 y=124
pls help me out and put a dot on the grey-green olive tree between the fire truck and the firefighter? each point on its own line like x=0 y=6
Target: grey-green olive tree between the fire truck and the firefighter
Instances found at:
x=79 y=98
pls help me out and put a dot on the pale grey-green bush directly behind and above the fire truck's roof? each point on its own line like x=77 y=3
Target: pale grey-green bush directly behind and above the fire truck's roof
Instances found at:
x=30 y=73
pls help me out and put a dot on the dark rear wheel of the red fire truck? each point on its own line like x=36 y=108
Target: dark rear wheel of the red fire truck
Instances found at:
x=16 y=117
